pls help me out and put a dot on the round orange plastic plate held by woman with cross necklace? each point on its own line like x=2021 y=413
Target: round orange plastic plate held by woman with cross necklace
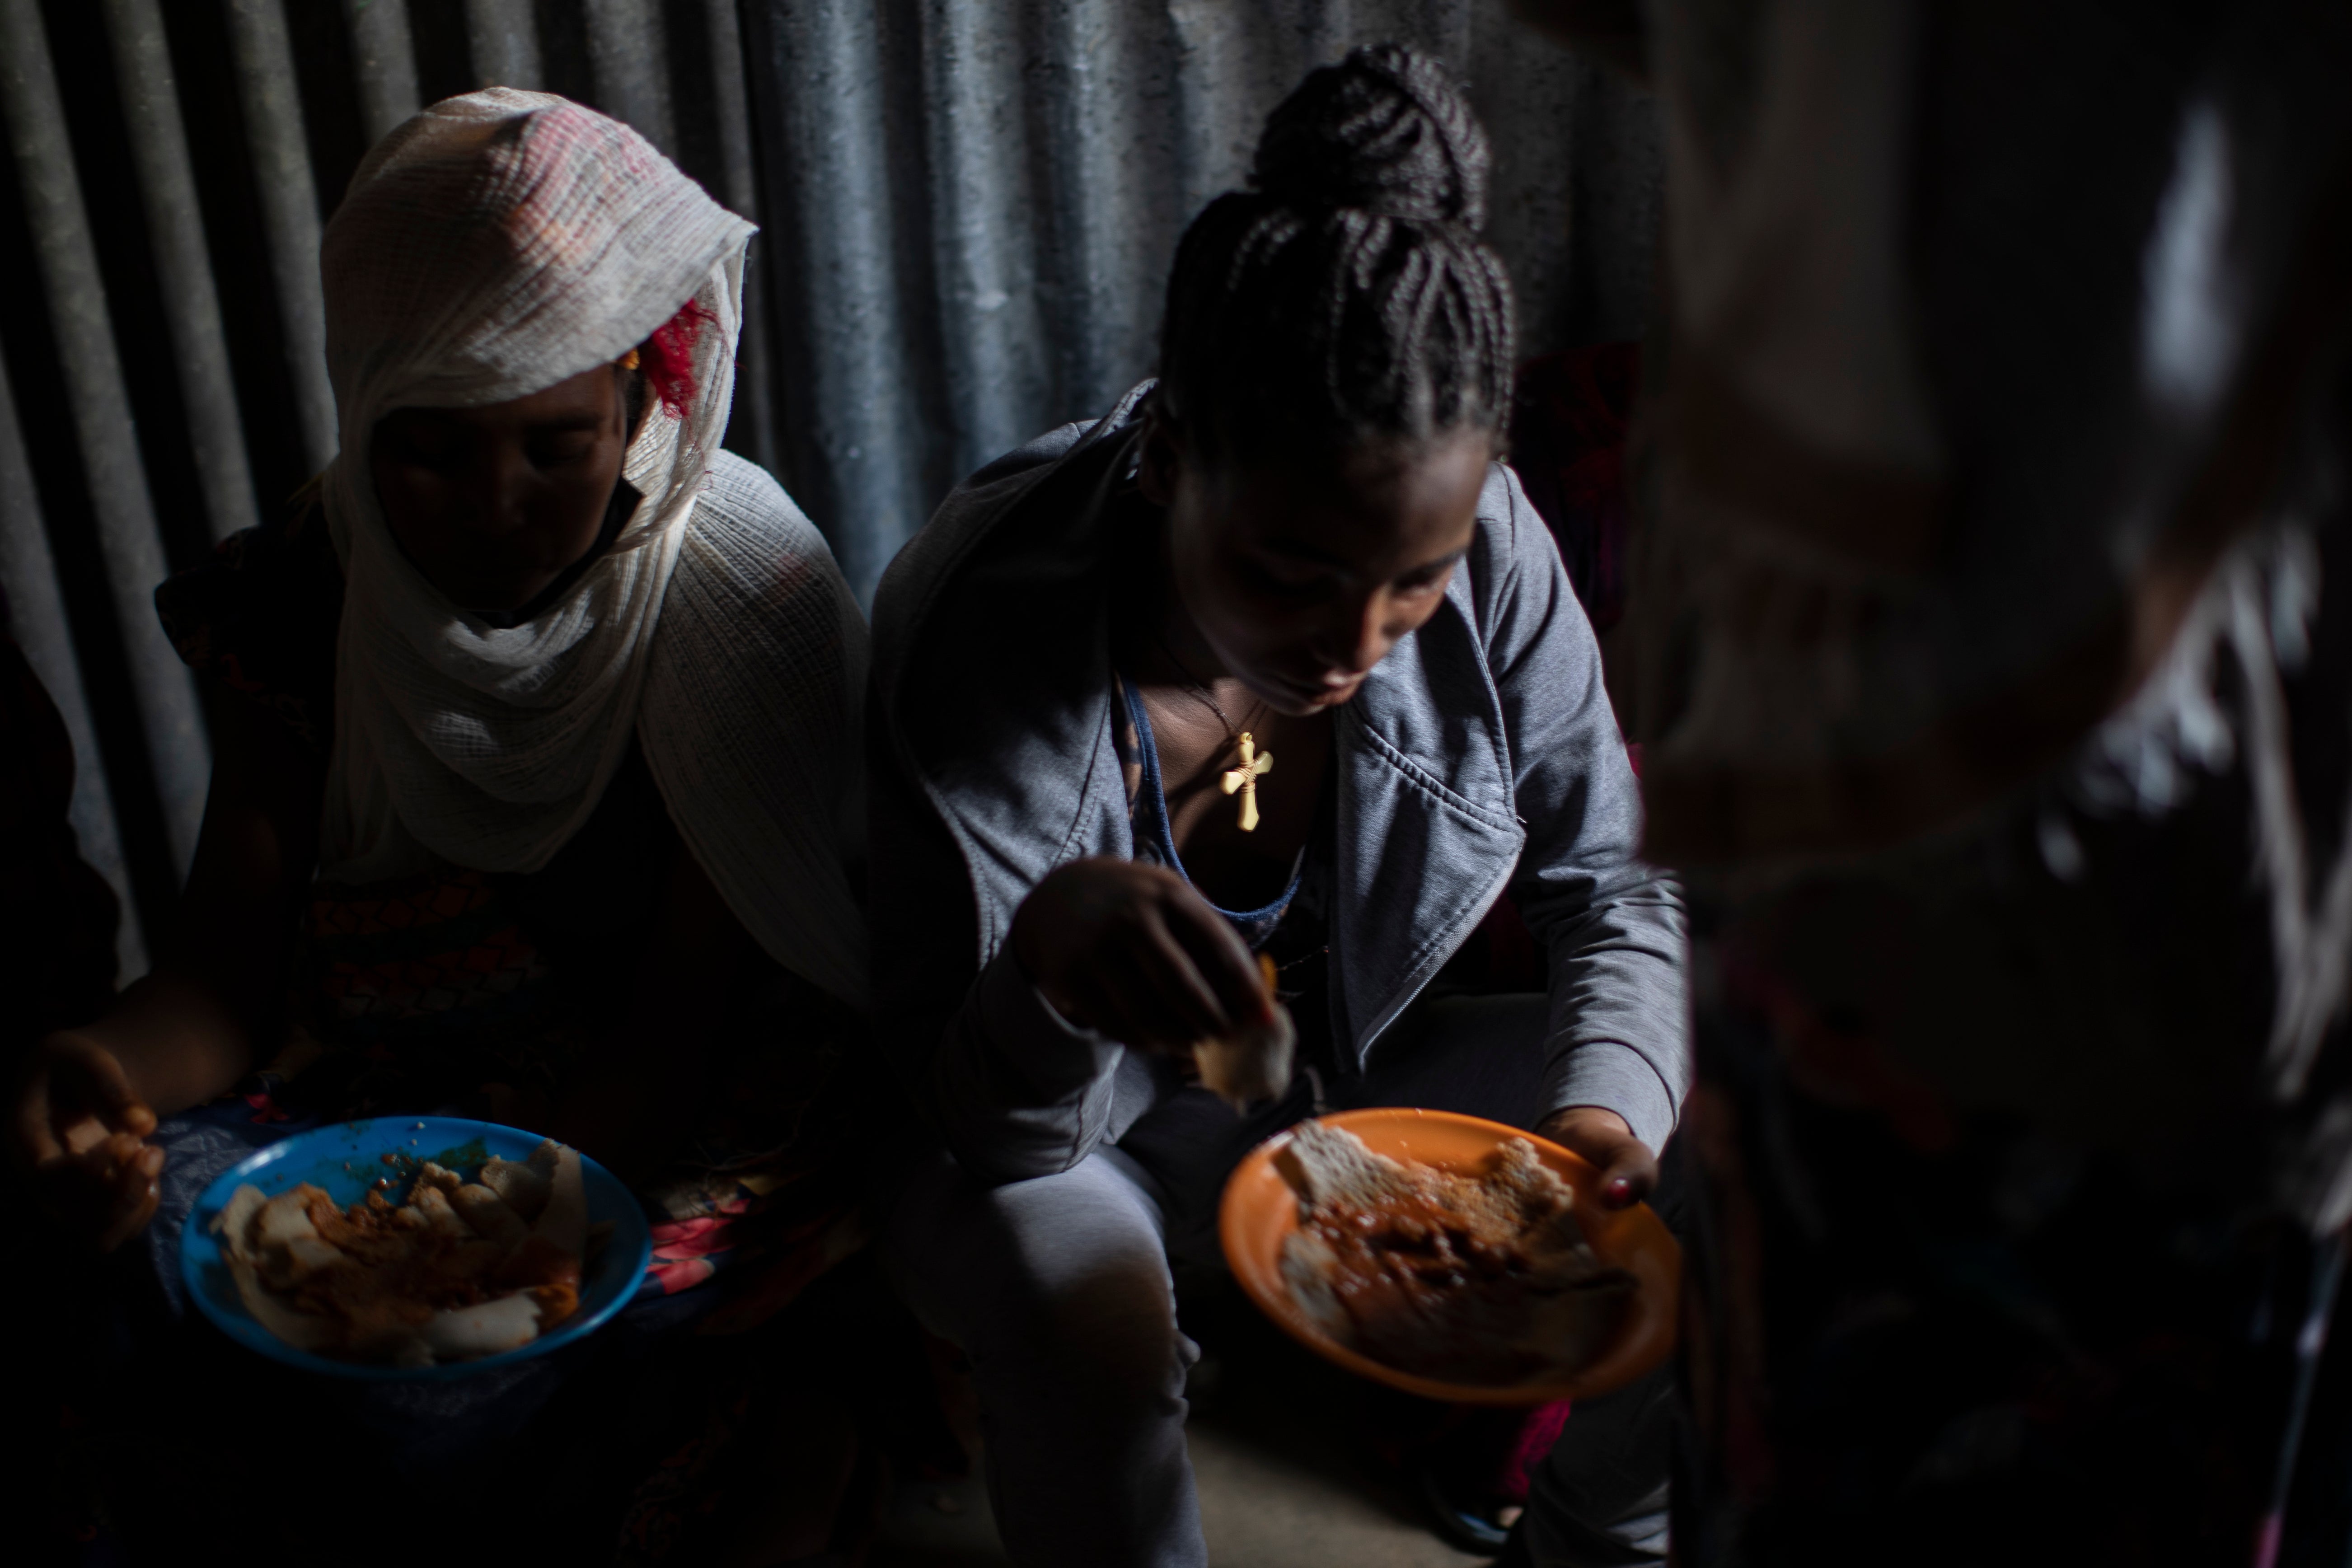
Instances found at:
x=1262 y=1209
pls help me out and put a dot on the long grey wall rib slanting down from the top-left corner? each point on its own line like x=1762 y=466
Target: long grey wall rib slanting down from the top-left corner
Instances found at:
x=102 y=420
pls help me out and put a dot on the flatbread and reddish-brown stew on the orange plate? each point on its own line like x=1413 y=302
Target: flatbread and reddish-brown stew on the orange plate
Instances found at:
x=1474 y=1280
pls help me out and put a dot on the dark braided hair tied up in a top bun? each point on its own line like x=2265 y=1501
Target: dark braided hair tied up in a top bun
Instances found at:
x=1347 y=297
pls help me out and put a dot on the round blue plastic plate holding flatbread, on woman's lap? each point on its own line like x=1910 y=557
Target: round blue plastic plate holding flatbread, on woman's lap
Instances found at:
x=347 y=1160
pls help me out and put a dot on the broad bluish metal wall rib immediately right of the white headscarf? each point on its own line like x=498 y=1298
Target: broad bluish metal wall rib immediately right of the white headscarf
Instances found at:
x=831 y=229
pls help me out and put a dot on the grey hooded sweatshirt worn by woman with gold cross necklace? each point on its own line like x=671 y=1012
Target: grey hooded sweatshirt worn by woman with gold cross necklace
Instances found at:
x=1481 y=756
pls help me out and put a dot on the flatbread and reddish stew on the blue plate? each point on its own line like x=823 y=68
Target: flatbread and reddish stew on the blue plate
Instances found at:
x=460 y=1271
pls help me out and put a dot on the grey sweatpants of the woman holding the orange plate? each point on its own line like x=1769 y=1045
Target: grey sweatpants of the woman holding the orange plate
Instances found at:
x=1060 y=1294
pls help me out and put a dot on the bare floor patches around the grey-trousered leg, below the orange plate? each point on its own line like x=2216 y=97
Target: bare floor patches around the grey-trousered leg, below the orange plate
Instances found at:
x=1297 y=1466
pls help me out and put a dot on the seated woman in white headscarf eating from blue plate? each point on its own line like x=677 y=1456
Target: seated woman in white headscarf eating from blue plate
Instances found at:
x=535 y=732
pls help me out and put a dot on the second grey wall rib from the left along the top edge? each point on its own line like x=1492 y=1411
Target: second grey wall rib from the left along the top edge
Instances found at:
x=182 y=262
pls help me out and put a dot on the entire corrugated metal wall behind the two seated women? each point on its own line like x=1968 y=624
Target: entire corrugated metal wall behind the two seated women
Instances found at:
x=968 y=213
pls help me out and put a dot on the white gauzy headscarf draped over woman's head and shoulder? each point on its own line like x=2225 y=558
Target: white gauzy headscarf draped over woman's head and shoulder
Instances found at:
x=490 y=248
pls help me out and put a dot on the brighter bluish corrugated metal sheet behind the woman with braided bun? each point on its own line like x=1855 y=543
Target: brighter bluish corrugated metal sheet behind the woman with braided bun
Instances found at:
x=973 y=208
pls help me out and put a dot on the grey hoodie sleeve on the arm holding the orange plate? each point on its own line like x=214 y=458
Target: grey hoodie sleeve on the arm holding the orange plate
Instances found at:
x=1612 y=927
